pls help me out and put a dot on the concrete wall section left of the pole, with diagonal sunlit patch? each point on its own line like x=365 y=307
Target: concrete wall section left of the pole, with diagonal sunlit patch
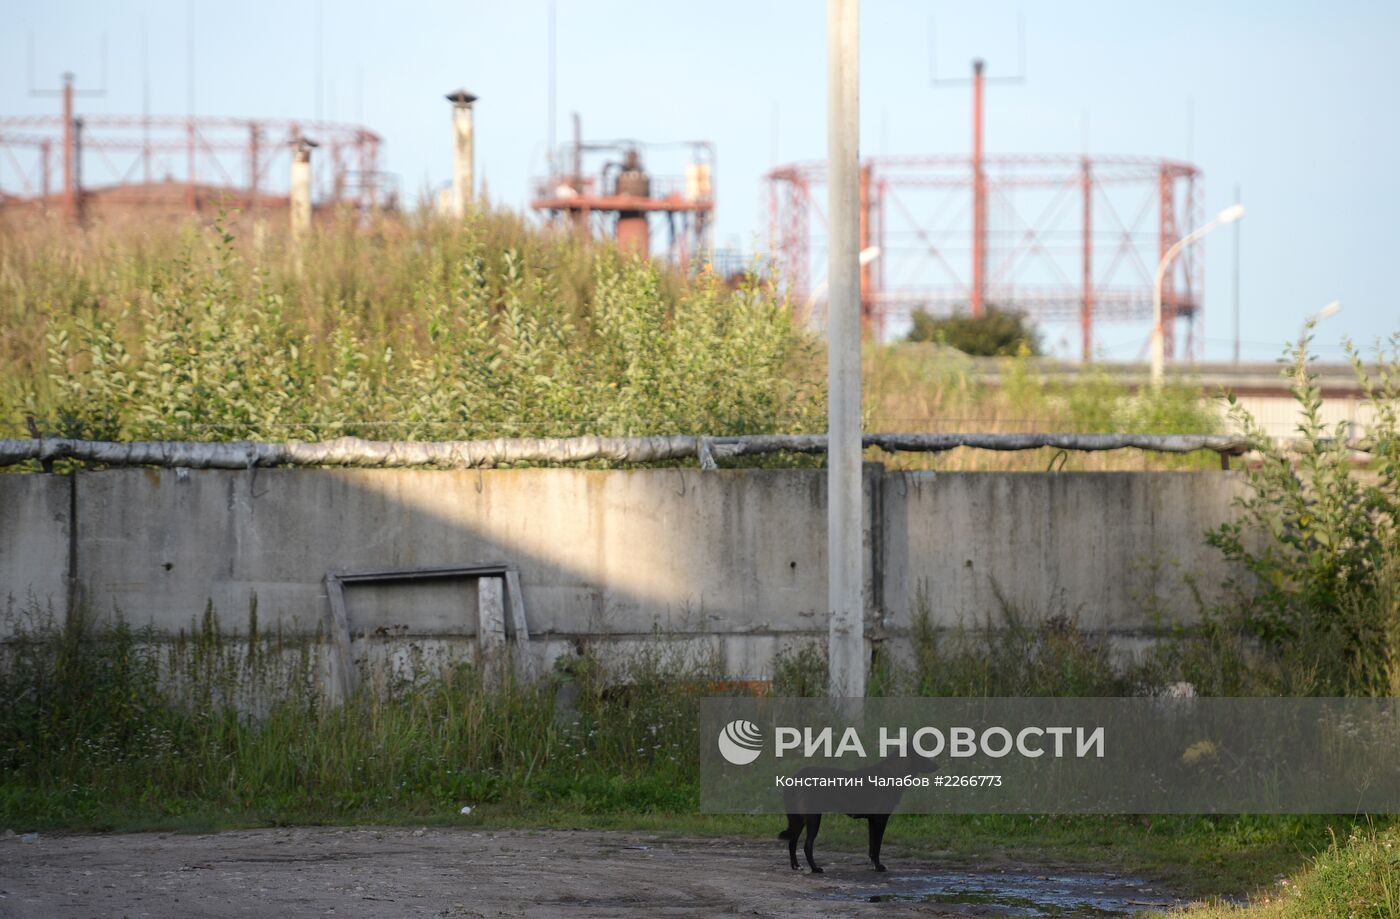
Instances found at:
x=727 y=557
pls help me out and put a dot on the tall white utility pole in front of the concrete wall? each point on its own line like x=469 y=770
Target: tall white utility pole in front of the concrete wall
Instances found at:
x=846 y=631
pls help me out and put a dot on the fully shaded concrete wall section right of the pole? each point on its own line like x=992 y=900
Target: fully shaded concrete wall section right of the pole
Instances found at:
x=1109 y=548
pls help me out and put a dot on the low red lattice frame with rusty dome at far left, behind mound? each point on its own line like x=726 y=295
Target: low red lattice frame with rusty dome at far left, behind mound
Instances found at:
x=181 y=165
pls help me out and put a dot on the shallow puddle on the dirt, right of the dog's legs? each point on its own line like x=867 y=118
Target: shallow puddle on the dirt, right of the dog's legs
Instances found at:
x=1018 y=894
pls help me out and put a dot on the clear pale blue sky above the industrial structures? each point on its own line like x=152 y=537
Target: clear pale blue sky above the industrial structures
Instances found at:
x=1296 y=102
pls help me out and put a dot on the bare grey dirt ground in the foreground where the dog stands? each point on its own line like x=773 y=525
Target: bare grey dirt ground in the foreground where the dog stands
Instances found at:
x=404 y=872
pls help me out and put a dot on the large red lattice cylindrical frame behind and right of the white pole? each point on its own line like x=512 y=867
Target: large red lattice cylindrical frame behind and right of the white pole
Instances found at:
x=1060 y=237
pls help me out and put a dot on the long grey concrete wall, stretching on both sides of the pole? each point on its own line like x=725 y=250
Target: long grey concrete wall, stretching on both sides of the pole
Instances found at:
x=738 y=555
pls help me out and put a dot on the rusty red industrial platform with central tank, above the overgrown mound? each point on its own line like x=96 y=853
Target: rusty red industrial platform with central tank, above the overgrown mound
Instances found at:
x=622 y=197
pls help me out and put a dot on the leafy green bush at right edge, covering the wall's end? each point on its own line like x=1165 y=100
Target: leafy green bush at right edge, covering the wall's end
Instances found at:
x=1318 y=543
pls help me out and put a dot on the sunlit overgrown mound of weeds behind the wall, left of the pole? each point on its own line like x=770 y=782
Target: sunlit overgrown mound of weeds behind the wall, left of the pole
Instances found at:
x=422 y=331
